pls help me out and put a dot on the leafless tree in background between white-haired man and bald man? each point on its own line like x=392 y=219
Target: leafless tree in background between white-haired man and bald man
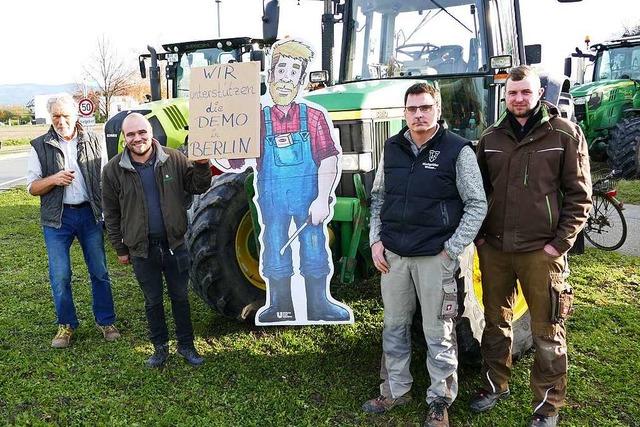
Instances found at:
x=113 y=76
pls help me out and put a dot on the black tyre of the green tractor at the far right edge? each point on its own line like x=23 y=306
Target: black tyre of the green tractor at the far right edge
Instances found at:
x=623 y=150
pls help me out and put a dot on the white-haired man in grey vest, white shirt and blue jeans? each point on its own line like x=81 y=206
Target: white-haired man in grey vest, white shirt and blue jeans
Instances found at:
x=64 y=169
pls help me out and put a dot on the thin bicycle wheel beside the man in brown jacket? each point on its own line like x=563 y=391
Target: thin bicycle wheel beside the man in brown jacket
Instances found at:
x=606 y=227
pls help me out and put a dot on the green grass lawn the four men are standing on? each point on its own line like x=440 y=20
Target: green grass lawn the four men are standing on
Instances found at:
x=275 y=376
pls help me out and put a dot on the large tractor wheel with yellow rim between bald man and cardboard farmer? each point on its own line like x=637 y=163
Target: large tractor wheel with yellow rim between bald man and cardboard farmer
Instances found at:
x=224 y=269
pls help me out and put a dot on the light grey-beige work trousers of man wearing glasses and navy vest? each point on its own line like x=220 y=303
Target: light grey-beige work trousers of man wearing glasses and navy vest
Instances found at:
x=430 y=279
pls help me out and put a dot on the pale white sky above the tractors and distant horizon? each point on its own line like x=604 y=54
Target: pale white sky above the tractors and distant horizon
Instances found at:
x=49 y=42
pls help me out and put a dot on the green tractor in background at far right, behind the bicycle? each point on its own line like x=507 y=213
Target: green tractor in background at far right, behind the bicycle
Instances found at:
x=608 y=107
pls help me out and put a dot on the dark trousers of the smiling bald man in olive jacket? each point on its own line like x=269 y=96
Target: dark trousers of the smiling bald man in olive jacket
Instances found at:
x=149 y=271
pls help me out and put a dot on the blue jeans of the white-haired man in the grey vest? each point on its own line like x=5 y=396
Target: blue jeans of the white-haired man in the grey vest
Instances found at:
x=81 y=224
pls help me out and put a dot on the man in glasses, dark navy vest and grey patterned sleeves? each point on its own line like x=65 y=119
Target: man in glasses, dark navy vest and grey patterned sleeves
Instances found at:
x=427 y=205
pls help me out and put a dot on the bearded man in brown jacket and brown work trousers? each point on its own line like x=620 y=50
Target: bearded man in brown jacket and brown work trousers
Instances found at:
x=535 y=169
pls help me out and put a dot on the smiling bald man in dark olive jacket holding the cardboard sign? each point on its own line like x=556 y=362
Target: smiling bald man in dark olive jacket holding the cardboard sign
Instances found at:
x=143 y=201
